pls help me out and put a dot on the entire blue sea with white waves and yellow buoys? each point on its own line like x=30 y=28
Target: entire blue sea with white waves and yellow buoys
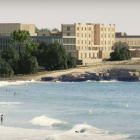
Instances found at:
x=105 y=110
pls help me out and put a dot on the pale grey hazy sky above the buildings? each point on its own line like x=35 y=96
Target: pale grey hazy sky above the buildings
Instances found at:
x=125 y=14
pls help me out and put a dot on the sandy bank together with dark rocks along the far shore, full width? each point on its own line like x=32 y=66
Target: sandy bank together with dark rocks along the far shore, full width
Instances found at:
x=129 y=73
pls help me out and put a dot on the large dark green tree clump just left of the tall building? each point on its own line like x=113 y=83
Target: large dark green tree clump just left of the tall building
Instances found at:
x=53 y=57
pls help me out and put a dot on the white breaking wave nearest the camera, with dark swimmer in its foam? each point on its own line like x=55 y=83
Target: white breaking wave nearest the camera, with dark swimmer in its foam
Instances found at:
x=86 y=132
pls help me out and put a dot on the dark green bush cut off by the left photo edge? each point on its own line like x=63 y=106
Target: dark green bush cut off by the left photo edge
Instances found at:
x=5 y=67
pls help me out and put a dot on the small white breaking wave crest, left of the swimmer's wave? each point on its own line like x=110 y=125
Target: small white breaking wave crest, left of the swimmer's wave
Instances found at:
x=45 y=121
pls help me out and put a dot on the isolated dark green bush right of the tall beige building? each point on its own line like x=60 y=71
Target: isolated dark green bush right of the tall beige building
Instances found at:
x=120 y=54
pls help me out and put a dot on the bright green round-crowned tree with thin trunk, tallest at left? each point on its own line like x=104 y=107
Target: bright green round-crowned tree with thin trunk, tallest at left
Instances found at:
x=20 y=38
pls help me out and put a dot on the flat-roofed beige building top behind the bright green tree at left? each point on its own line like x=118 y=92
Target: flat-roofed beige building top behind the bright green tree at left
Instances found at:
x=7 y=28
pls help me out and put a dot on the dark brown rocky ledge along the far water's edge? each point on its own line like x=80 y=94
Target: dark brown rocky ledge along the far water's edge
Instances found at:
x=113 y=74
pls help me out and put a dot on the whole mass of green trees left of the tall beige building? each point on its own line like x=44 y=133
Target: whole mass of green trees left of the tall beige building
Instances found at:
x=50 y=56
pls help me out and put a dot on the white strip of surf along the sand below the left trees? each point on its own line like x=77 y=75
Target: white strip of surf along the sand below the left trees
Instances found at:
x=6 y=83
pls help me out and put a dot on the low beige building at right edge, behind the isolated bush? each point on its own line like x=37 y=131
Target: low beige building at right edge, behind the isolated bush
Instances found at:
x=132 y=42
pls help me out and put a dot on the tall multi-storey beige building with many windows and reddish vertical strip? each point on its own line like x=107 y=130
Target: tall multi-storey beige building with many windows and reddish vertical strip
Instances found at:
x=88 y=41
